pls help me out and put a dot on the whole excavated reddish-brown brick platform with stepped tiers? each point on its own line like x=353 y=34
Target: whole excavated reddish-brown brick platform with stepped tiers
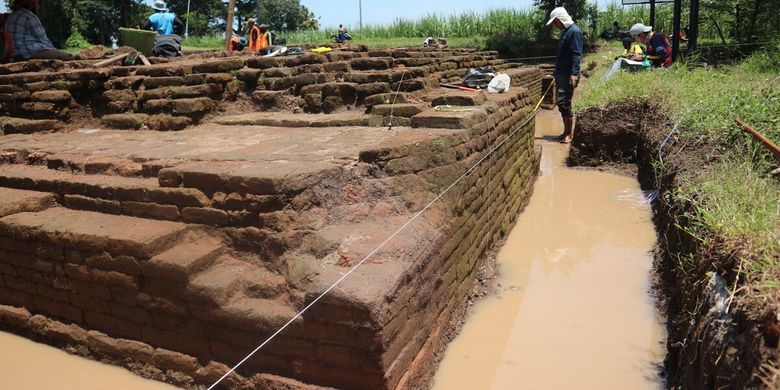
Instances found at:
x=181 y=251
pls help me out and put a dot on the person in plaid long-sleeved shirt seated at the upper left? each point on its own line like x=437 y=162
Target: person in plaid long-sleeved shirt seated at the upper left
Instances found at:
x=29 y=37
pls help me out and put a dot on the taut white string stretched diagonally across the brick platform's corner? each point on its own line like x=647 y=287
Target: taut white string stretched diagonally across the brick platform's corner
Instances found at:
x=356 y=266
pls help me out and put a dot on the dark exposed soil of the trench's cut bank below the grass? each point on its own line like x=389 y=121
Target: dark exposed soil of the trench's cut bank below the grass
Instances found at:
x=717 y=338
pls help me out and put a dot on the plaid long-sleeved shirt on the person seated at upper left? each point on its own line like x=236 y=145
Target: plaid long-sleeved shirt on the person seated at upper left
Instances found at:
x=27 y=33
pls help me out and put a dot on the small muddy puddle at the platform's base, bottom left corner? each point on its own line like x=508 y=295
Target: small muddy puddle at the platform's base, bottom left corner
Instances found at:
x=28 y=365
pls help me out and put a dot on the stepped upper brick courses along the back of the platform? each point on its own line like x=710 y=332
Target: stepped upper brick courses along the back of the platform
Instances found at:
x=51 y=95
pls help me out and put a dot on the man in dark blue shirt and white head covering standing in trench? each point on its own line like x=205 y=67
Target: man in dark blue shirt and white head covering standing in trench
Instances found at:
x=567 y=67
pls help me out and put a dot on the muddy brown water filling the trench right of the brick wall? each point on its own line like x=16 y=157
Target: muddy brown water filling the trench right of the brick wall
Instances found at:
x=574 y=308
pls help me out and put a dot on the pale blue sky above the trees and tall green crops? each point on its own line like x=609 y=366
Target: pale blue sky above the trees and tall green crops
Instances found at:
x=335 y=12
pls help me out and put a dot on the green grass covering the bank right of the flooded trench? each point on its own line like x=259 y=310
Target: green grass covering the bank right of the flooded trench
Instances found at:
x=735 y=200
